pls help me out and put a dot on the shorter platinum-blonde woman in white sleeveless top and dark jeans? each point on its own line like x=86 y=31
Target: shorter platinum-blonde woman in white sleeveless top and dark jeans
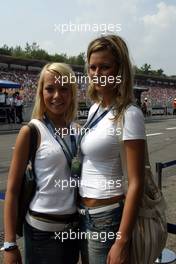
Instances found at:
x=53 y=208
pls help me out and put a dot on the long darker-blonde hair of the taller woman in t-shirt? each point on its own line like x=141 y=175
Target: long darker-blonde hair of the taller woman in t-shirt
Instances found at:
x=123 y=92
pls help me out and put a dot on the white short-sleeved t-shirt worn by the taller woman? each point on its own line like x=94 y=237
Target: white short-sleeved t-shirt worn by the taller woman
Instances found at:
x=102 y=172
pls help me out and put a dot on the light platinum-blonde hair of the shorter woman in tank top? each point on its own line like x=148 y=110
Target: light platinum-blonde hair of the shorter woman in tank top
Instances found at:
x=39 y=106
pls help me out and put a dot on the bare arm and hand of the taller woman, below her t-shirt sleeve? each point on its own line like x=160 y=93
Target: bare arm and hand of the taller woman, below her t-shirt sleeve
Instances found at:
x=135 y=157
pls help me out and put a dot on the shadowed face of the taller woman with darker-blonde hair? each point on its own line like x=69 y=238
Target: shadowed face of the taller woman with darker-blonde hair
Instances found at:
x=103 y=70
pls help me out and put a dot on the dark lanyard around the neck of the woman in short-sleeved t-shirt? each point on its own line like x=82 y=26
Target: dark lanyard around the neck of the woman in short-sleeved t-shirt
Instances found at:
x=91 y=124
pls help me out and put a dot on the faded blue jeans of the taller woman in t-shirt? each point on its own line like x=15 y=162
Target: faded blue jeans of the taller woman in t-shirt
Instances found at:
x=102 y=231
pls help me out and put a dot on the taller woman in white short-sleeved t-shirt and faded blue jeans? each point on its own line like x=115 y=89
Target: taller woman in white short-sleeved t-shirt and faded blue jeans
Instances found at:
x=107 y=215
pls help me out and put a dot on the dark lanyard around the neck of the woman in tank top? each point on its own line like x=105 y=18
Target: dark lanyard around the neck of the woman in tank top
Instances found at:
x=69 y=154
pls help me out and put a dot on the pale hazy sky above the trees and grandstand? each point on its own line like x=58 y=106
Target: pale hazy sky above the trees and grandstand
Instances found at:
x=147 y=26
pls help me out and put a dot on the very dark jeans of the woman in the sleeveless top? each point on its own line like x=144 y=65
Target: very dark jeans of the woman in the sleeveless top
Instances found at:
x=43 y=247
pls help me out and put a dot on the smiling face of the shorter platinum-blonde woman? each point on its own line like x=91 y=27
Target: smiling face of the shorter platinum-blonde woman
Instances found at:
x=57 y=97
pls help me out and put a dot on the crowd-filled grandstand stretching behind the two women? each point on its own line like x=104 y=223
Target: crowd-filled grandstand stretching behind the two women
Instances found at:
x=160 y=91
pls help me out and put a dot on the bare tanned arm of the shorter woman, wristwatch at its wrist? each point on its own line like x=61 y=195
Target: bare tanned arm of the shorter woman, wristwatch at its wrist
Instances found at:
x=17 y=168
